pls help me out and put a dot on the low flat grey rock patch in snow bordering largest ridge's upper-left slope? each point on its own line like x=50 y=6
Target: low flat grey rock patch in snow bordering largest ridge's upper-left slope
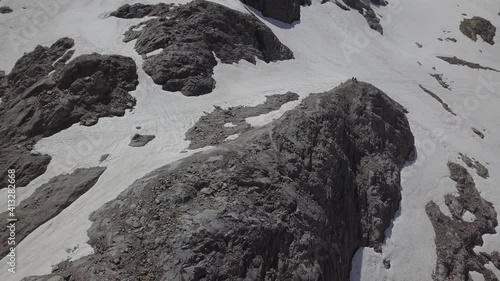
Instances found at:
x=212 y=128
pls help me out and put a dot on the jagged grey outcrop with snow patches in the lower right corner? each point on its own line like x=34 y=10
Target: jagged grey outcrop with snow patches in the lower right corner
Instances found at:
x=455 y=238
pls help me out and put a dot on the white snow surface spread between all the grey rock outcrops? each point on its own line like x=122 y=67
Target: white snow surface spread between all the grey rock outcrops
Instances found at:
x=330 y=45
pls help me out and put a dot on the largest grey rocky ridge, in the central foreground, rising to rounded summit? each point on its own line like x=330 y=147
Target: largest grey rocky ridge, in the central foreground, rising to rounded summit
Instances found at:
x=292 y=200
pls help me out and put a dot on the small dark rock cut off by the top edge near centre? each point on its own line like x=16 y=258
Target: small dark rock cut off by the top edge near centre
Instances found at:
x=286 y=11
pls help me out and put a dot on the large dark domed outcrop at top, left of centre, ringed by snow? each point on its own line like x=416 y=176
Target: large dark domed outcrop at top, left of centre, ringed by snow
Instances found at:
x=191 y=36
